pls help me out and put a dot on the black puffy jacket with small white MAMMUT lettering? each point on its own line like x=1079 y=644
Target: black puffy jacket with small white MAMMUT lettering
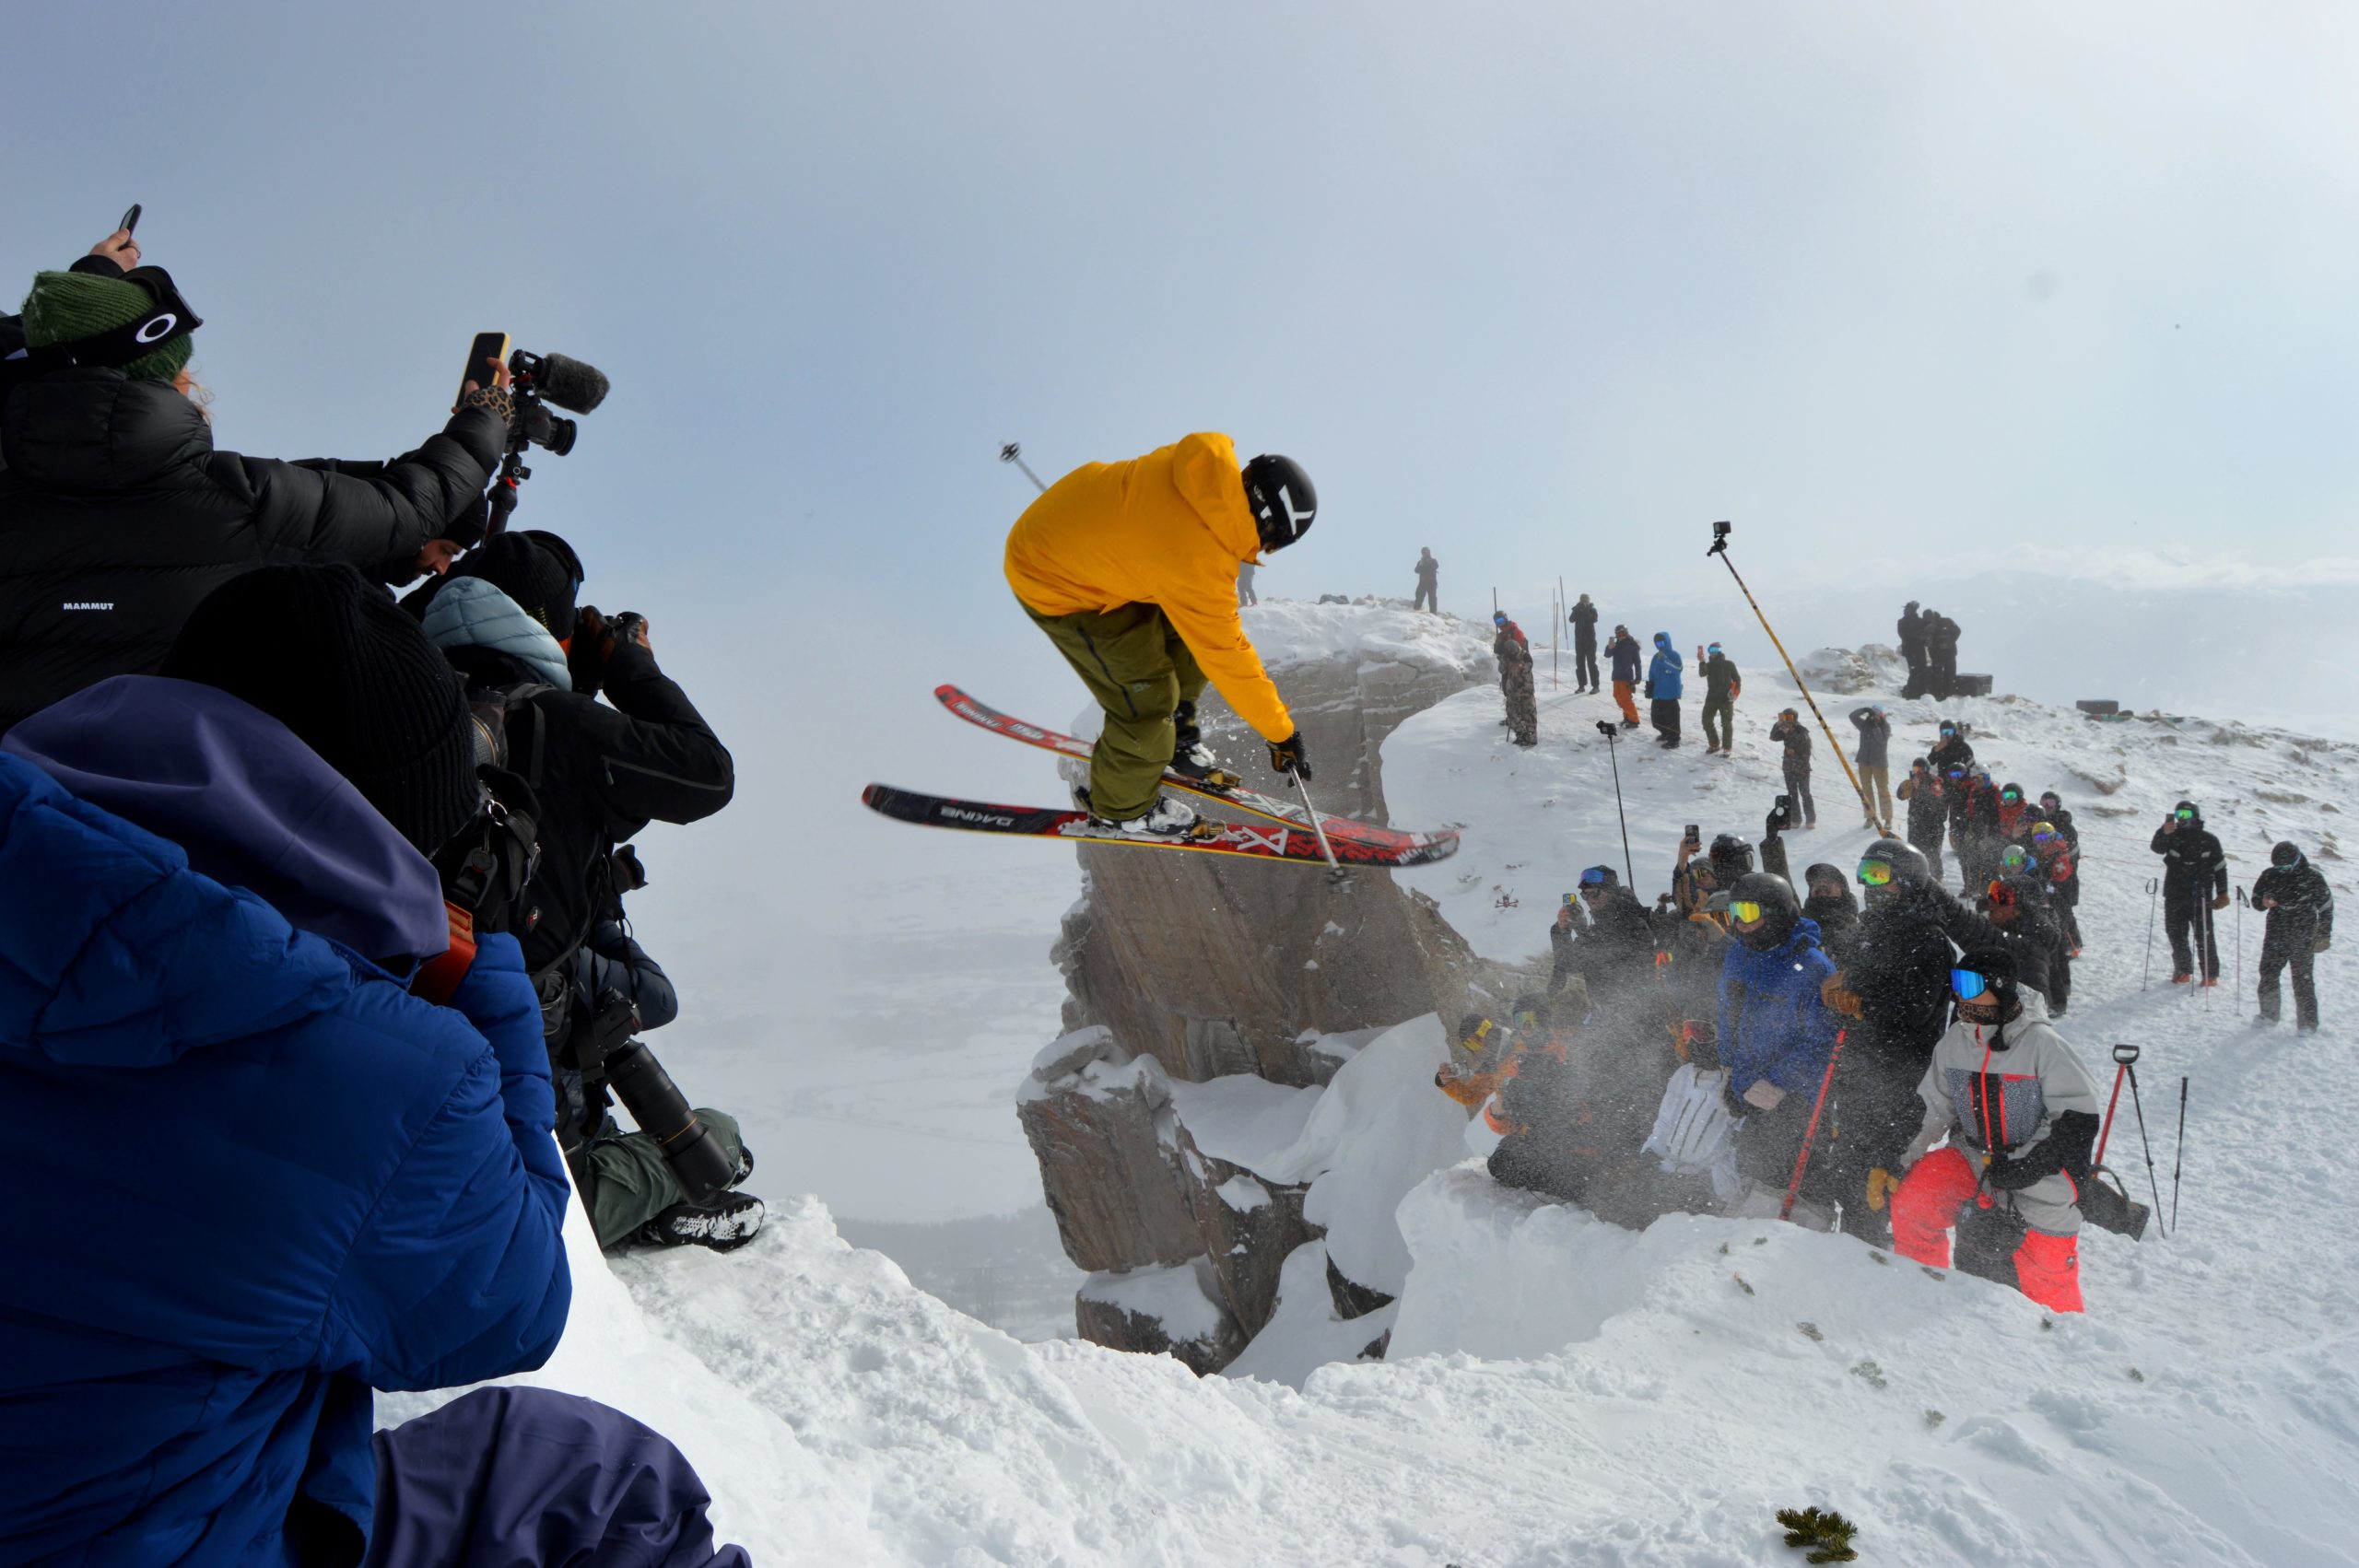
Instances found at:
x=117 y=518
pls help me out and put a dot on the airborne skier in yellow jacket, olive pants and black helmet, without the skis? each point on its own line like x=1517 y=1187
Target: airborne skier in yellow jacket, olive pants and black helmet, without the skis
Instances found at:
x=1131 y=572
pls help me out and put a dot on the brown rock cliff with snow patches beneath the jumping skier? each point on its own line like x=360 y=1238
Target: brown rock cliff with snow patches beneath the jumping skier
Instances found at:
x=1197 y=968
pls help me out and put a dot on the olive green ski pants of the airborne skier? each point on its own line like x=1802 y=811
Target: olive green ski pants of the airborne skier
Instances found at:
x=1136 y=666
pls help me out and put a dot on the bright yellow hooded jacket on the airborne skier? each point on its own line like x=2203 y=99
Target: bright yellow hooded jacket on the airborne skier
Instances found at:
x=1164 y=529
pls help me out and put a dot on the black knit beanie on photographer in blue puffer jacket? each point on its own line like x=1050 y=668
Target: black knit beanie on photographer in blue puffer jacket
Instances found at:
x=341 y=666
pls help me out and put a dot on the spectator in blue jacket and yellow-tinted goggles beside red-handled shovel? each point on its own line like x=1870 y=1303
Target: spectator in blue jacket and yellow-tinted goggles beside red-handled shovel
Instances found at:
x=1775 y=1029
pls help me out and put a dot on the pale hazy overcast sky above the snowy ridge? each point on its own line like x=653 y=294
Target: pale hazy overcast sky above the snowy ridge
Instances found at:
x=2035 y=312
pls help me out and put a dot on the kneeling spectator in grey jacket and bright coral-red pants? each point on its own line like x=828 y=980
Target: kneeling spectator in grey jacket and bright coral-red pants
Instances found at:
x=2020 y=1114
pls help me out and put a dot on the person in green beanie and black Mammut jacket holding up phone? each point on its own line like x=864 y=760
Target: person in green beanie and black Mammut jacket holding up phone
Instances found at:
x=119 y=515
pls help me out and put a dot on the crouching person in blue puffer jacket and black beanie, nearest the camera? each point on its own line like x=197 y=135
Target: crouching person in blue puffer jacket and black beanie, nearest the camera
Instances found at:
x=313 y=1182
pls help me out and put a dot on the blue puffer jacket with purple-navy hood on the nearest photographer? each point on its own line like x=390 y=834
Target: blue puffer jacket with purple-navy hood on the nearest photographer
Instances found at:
x=249 y=1175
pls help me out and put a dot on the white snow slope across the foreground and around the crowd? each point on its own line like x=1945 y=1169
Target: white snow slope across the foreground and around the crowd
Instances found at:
x=1572 y=1395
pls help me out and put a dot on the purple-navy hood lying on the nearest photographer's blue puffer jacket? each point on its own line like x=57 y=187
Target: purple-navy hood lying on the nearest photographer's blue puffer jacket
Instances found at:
x=249 y=803
